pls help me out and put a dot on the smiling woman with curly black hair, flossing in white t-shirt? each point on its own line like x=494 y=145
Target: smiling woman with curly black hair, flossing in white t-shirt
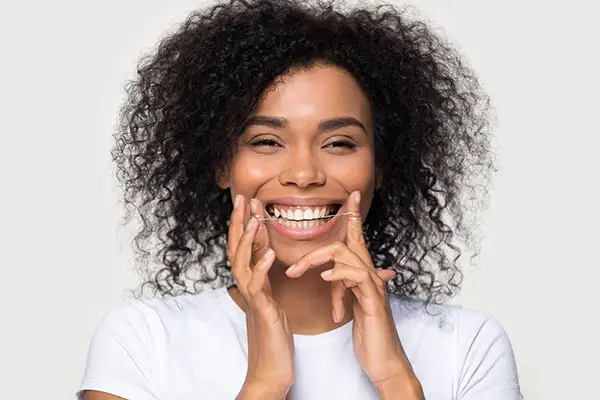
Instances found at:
x=298 y=165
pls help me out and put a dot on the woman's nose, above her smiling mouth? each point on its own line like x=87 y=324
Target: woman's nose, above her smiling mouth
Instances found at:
x=302 y=169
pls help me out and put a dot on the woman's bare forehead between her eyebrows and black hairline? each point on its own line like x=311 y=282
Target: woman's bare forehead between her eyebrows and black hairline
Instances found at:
x=318 y=93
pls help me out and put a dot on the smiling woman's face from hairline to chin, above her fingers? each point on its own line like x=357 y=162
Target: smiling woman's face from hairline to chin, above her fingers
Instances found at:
x=305 y=149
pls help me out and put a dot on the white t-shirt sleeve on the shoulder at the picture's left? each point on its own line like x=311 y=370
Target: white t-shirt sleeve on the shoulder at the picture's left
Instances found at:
x=124 y=356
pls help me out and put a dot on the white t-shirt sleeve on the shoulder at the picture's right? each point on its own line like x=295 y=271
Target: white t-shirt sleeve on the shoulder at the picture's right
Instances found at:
x=488 y=364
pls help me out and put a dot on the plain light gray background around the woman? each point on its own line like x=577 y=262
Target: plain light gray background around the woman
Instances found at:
x=65 y=263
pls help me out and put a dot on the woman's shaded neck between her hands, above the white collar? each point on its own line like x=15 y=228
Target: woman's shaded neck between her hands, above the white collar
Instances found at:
x=306 y=300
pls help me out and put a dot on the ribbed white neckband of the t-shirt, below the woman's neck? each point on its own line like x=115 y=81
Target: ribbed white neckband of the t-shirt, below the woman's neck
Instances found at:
x=337 y=334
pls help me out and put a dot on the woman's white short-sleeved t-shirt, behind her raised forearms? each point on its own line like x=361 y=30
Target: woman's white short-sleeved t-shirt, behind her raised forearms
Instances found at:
x=195 y=347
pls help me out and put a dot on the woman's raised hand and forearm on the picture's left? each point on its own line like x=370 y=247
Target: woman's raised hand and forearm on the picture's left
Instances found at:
x=270 y=342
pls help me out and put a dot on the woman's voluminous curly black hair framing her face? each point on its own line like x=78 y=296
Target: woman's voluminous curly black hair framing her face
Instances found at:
x=191 y=97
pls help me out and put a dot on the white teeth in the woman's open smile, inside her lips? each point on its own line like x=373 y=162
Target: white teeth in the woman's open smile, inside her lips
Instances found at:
x=302 y=216
